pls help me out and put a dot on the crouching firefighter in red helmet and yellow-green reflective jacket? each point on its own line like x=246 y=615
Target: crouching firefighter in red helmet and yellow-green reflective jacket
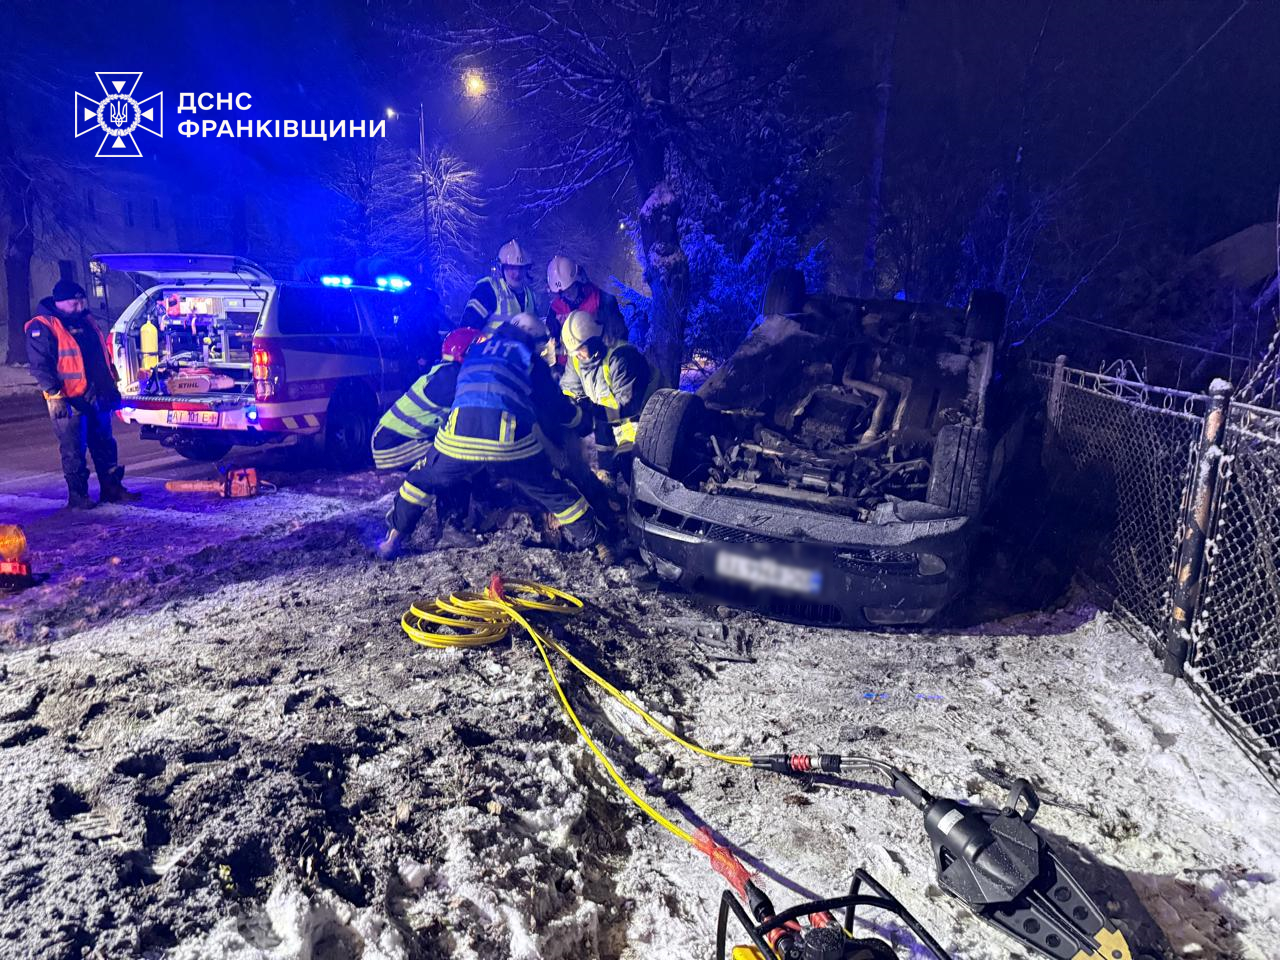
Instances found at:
x=405 y=433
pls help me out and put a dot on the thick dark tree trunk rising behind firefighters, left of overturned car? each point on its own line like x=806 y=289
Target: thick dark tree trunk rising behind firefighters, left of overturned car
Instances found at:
x=666 y=268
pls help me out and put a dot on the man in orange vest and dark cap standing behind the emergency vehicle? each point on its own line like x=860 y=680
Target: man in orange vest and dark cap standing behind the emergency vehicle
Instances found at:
x=72 y=365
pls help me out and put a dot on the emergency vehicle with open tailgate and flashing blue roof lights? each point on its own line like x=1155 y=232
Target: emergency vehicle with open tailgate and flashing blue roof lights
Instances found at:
x=216 y=353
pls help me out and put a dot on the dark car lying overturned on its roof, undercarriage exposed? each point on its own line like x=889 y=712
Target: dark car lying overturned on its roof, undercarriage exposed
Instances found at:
x=836 y=469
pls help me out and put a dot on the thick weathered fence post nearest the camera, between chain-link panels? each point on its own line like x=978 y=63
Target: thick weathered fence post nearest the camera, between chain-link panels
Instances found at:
x=1195 y=537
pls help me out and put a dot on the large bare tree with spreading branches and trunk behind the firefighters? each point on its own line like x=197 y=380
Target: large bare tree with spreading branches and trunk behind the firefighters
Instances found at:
x=637 y=93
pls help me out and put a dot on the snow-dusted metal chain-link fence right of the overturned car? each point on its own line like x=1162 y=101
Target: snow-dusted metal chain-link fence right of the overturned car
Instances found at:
x=1132 y=461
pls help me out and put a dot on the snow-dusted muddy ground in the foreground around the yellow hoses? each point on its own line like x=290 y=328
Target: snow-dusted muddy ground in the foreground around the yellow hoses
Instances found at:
x=216 y=742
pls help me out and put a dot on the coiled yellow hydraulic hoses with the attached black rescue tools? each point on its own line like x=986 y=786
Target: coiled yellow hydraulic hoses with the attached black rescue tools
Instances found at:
x=995 y=862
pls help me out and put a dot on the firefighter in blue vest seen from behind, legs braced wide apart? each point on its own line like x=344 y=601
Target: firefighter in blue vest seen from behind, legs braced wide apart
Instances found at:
x=505 y=392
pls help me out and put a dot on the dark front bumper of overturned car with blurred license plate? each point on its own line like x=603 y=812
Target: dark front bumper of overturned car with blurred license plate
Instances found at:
x=797 y=564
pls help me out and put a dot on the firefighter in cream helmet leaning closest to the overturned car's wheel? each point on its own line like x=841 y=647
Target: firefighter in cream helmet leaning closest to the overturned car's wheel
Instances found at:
x=616 y=378
